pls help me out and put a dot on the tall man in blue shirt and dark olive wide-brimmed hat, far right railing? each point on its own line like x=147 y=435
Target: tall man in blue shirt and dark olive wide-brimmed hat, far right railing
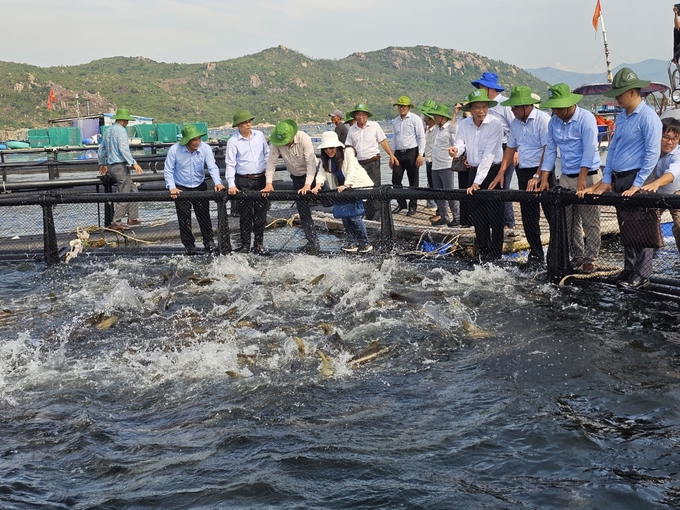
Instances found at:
x=631 y=158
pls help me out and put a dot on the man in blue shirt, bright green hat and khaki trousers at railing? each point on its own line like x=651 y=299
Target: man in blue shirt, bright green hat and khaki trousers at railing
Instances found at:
x=573 y=130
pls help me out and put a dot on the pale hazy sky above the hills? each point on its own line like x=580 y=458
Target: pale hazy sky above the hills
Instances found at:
x=525 y=33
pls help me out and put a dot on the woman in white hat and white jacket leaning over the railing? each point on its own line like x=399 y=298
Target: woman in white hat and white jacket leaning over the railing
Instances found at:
x=341 y=170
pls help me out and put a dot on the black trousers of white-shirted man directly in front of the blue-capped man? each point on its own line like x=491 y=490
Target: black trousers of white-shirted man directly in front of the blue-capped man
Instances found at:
x=487 y=218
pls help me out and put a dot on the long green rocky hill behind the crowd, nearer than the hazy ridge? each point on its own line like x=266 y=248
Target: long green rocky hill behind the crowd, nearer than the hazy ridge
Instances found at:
x=275 y=84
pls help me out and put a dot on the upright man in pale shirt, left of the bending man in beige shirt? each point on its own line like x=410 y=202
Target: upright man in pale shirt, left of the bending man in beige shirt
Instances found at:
x=246 y=162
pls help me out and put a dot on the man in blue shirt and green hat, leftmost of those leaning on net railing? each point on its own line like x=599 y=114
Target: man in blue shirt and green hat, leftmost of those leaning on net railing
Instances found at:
x=184 y=173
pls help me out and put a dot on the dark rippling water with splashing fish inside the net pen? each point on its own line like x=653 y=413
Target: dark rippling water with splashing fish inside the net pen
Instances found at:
x=187 y=382
